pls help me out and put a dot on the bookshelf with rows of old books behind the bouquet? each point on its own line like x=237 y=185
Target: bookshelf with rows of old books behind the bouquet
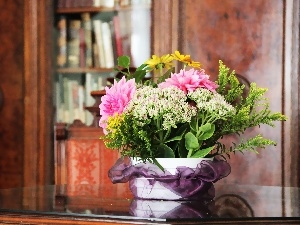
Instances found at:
x=90 y=35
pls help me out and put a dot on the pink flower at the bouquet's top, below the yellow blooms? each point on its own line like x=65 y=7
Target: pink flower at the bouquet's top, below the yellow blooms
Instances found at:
x=189 y=81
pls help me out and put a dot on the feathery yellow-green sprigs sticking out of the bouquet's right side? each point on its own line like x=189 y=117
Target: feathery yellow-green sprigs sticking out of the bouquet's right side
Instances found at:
x=250 y=112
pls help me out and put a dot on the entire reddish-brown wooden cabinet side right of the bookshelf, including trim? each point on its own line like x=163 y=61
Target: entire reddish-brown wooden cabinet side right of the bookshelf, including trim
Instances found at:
x=259 y=39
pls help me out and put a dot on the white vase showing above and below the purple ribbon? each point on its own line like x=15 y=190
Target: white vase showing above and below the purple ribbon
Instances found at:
x=145 y=190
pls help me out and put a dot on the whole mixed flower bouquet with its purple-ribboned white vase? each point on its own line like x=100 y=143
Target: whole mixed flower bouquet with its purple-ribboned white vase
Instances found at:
x=179 y=115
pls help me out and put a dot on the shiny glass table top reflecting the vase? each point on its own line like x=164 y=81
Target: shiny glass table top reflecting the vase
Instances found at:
x=115 y=201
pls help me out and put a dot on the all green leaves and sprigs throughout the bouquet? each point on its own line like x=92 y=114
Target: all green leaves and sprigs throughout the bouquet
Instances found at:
x=201 y=137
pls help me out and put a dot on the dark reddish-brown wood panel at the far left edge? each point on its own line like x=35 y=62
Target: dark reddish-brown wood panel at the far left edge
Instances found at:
x=12 y=85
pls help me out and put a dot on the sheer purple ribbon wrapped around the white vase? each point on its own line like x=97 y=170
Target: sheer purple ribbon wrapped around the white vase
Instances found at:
x=187 y=183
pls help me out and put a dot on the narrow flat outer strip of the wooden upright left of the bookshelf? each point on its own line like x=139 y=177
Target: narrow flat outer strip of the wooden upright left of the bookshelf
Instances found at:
x=31 y=94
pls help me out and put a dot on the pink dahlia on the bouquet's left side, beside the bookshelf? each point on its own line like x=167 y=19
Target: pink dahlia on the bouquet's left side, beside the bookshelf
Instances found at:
x=116 y=99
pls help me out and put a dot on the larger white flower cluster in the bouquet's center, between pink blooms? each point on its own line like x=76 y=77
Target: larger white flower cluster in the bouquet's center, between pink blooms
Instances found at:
x=166 y=107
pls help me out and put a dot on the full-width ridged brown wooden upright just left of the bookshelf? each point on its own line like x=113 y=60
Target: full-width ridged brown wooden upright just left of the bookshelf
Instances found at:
x=38 y=138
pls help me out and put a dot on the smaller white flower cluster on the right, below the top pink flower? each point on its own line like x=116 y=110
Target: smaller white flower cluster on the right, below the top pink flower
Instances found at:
x=211 y=103
